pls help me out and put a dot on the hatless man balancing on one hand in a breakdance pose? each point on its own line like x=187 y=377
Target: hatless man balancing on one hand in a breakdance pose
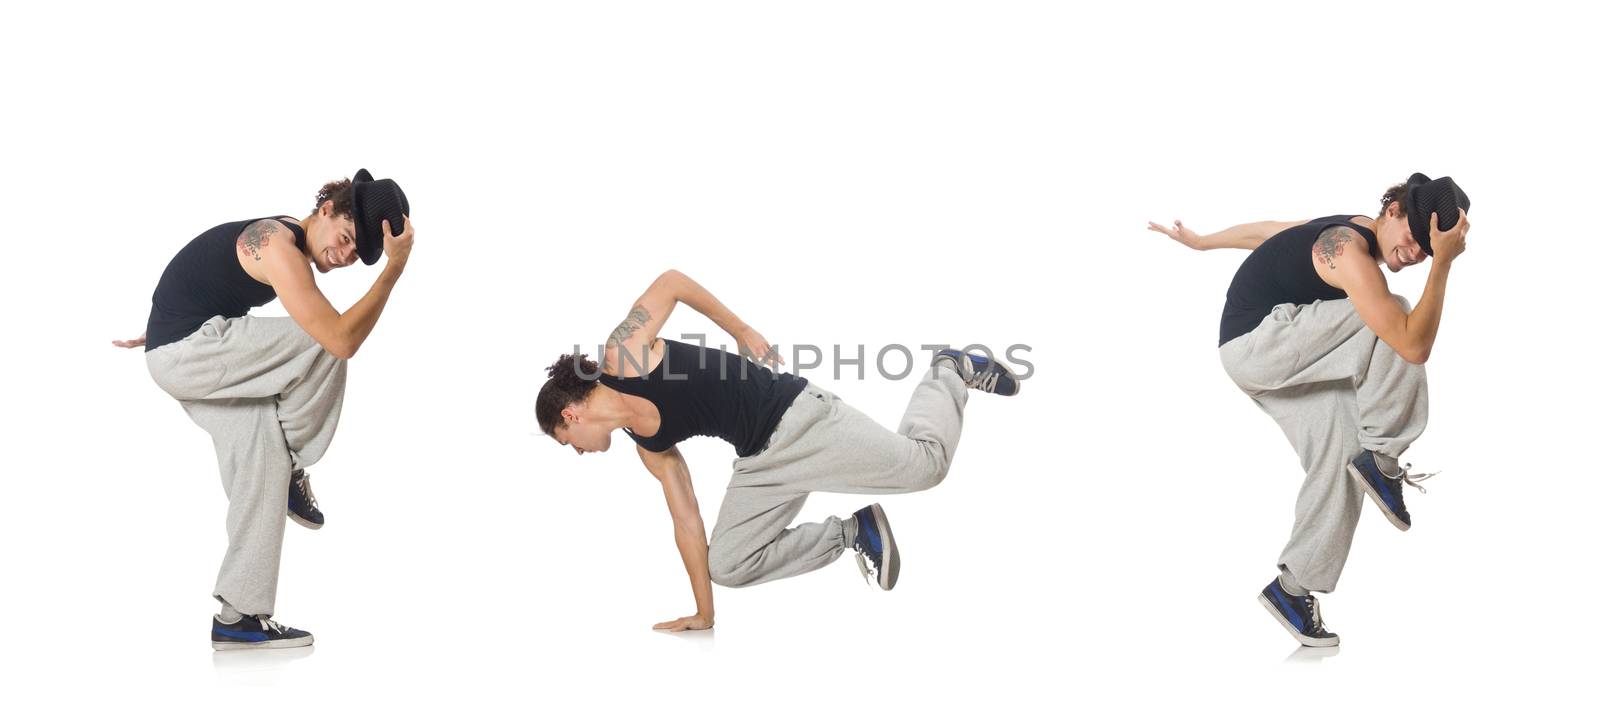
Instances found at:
x=793 y=439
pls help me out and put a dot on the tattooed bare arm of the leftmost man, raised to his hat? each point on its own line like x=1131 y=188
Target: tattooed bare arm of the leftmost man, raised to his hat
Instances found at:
x=290 y=276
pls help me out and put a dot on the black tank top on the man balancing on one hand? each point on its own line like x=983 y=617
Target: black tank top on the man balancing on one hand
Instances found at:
x=703 y=391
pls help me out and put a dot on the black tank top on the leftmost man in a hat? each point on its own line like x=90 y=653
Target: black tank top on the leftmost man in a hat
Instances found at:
x=206 y=279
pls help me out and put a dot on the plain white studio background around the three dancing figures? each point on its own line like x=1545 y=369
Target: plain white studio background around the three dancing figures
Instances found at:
x=857 y=174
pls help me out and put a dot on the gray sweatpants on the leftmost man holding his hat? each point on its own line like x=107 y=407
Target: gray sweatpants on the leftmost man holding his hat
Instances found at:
x=270 y=396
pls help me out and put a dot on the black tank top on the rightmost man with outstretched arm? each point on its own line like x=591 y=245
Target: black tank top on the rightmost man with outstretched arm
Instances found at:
x=1279 y=271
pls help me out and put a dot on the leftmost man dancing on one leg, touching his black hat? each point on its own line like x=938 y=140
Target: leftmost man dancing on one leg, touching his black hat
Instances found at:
x=270 y=390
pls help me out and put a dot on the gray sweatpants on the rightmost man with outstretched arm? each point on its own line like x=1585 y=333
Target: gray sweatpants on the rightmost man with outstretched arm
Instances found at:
x=1335 y=390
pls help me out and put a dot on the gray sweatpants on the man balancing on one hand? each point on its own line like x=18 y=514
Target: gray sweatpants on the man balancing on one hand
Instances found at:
x=823 y=444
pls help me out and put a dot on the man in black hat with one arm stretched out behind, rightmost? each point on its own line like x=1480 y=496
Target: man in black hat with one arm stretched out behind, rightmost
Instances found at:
x=1314 y=337
